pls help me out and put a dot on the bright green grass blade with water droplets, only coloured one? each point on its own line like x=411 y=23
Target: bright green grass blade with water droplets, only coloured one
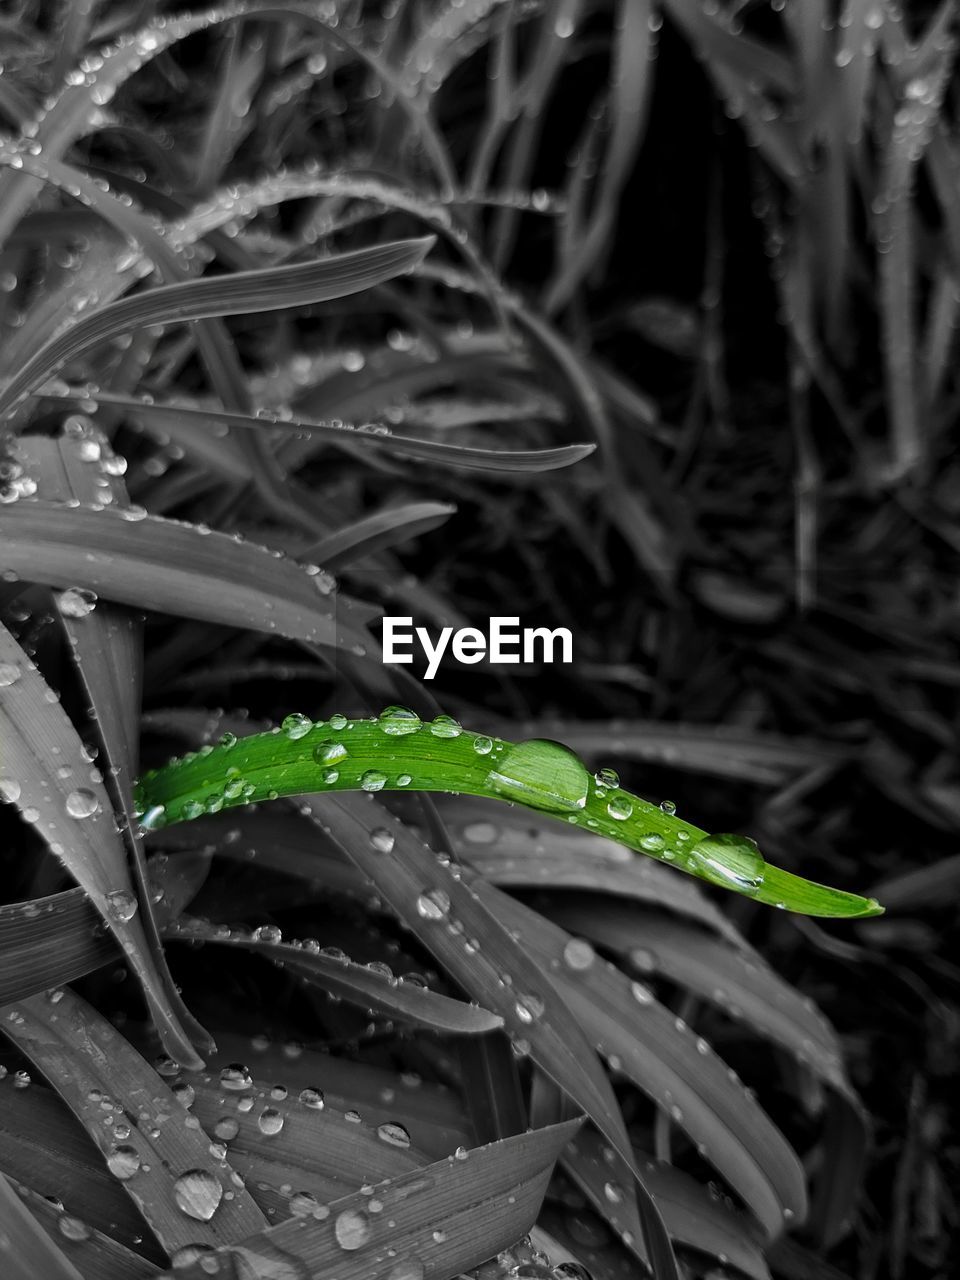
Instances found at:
x=399 y=752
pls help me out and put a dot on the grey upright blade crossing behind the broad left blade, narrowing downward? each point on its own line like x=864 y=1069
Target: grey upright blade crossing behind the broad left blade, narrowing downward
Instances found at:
x=107 y=647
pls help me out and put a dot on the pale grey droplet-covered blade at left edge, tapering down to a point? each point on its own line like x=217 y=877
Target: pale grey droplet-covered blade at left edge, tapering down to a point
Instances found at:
x=49 y=776
